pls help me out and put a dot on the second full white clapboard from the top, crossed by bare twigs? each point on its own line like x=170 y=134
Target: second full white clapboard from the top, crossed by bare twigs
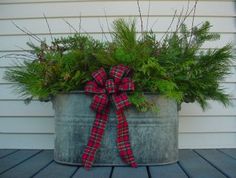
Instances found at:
x=91 y=25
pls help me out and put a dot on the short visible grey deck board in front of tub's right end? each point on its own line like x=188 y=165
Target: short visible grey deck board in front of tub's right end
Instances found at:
x=167 y=171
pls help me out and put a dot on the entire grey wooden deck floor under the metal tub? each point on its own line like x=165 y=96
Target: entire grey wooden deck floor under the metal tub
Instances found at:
x=211 y=163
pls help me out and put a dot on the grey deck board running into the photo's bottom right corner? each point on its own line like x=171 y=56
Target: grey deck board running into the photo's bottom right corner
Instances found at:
x=223 y=162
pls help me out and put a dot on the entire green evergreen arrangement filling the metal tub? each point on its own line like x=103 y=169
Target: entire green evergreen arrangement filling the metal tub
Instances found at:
x=174 y=66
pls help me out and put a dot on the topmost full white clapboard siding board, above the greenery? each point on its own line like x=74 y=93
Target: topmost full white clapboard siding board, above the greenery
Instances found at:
x=116 y=8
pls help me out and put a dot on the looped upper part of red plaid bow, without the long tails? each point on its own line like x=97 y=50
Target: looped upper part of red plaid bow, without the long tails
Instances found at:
x=114 y=87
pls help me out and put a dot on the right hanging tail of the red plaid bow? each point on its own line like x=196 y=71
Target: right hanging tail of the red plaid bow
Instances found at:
x=123 y=142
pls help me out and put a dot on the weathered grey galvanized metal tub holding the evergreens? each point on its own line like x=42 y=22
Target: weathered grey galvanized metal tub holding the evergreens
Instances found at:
x=153 y=136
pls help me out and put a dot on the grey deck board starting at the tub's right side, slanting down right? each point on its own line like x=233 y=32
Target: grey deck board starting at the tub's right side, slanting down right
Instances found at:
x=197 y=167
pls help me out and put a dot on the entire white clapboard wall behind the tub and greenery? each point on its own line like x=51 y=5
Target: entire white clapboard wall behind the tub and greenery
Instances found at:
x=32 y=126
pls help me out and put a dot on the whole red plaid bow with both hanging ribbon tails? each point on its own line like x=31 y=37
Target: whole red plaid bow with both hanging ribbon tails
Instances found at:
x=107 y=90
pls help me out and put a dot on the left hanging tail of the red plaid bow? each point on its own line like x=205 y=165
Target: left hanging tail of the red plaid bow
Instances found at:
x=95 y=138
